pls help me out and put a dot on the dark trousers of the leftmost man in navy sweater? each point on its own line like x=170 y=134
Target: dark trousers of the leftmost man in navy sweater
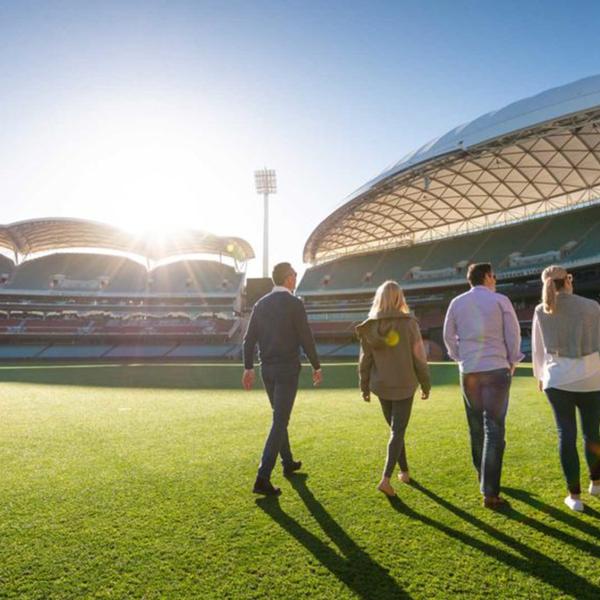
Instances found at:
x=281 y=384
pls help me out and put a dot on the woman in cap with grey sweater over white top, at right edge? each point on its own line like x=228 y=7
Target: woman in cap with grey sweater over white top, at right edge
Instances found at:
x=566 y=363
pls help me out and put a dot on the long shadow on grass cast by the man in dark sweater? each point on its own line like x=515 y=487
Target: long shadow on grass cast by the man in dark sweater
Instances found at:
x=356 y=569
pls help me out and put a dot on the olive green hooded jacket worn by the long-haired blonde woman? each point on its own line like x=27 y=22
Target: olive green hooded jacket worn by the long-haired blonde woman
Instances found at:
x=392 y=362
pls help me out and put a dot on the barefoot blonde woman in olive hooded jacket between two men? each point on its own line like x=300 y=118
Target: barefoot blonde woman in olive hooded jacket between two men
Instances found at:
x=392 y=364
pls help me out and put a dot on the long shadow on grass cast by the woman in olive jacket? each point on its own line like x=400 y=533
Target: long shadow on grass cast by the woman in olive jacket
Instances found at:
x=527 y=560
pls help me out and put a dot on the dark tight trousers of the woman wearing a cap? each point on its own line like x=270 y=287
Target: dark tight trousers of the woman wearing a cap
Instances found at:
x=564 y=404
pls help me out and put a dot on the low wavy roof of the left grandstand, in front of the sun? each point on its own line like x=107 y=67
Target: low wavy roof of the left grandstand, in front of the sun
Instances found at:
x=48 y=235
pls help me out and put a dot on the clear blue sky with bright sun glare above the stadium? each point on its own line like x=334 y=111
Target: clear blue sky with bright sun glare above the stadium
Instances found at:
x=156 y=113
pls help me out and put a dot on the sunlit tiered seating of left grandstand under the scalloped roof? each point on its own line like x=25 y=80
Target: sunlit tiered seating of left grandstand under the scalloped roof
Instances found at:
x=70 y=326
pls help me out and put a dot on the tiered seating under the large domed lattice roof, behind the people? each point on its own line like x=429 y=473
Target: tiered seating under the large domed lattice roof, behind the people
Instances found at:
x=333 y=291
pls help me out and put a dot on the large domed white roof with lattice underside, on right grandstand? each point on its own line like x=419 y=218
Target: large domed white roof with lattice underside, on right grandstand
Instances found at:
x=533 y=156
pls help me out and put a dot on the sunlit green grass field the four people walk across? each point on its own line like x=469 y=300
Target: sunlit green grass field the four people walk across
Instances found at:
x=111 y=487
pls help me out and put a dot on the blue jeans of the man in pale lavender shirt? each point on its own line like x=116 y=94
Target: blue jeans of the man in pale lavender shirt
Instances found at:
x=486 y=401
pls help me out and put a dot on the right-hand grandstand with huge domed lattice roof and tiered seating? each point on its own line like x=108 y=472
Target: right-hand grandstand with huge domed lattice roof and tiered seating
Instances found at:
x=518 y=187
